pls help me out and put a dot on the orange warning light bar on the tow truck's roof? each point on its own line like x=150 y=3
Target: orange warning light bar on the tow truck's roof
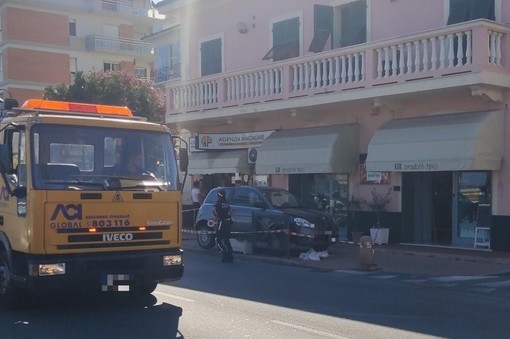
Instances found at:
x=79 y=107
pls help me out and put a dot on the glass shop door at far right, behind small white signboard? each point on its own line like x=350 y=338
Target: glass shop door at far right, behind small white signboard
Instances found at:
x=473 y=189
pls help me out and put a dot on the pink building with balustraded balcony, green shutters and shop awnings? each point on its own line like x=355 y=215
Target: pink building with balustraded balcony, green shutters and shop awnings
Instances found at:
x=337 y=99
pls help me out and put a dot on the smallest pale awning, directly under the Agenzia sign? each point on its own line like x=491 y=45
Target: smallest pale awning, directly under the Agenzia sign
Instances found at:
x=212 y=162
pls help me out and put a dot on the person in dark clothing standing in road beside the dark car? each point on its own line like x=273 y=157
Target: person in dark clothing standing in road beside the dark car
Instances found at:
x=223 y=213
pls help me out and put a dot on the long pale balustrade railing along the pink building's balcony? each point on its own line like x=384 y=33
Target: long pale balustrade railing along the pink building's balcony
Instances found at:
x=471 y=47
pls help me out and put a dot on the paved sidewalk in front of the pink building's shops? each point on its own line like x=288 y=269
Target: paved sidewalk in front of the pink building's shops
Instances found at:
x=408 y=259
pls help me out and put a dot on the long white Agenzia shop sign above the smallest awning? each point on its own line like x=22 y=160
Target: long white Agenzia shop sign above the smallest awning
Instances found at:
x=230 y=141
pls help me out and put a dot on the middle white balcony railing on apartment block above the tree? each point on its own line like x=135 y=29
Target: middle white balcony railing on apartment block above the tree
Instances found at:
x=118 y=45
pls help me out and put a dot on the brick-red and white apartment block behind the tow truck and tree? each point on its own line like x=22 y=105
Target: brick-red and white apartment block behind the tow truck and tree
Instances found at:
x=46 y=42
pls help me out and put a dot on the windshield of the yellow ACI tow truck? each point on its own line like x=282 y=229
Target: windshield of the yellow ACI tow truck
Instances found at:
x=92 y=158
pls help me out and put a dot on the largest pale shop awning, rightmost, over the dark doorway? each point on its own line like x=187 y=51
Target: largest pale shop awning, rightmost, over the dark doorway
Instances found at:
x=453 y=142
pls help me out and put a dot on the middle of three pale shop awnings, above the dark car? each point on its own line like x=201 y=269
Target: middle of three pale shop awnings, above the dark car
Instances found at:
x=329 y=149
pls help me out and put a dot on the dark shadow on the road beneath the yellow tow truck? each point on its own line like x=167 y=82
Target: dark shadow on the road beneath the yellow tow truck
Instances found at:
x=97 y=317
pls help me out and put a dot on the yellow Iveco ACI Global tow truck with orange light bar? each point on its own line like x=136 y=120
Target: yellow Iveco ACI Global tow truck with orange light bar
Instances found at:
x=76 y=211
